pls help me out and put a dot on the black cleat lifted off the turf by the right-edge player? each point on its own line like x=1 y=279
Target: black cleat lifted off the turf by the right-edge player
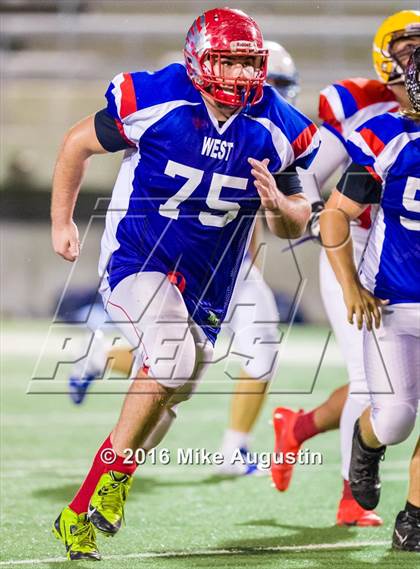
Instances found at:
x=364 y=472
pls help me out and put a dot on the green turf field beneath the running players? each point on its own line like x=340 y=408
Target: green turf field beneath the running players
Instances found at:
x=184 y=516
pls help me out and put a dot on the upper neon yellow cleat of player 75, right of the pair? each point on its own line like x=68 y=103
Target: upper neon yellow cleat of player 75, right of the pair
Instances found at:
x=106 y=508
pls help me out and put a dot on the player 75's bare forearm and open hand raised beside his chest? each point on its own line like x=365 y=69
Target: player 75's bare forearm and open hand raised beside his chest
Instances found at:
x=287 y=216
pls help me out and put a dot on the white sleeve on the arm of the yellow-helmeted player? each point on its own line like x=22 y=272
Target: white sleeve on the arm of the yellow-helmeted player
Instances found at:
x=331 y=155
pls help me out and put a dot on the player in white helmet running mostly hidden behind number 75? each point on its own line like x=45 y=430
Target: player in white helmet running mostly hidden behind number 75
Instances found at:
x=252 y=299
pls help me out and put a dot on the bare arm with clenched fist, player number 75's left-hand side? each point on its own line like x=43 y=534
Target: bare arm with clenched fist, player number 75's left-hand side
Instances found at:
x=78 y=145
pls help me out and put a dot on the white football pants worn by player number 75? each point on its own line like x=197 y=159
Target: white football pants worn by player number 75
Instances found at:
x=152 y=315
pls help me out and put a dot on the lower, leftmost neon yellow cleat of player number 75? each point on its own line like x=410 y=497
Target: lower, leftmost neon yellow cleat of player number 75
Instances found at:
x=78 y=535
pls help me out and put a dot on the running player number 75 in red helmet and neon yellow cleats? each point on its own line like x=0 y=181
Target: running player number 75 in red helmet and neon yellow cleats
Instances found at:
x=211 y=139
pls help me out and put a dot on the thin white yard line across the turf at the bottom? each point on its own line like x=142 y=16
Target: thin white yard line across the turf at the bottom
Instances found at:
x=212 y=552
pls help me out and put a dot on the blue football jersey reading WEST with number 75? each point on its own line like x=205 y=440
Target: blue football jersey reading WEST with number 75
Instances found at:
x=185 y=200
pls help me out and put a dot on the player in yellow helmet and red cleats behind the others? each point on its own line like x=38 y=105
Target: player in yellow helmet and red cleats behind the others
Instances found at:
x=344 y=106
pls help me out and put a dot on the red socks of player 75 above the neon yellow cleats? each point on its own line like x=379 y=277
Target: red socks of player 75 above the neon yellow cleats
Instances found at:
x=80 y=502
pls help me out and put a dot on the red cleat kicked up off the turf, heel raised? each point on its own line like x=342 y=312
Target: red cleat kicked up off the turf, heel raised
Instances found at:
x=284 y=420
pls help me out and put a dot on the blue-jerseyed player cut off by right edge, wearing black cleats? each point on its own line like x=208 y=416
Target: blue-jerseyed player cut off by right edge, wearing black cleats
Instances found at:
x=385 y=294
